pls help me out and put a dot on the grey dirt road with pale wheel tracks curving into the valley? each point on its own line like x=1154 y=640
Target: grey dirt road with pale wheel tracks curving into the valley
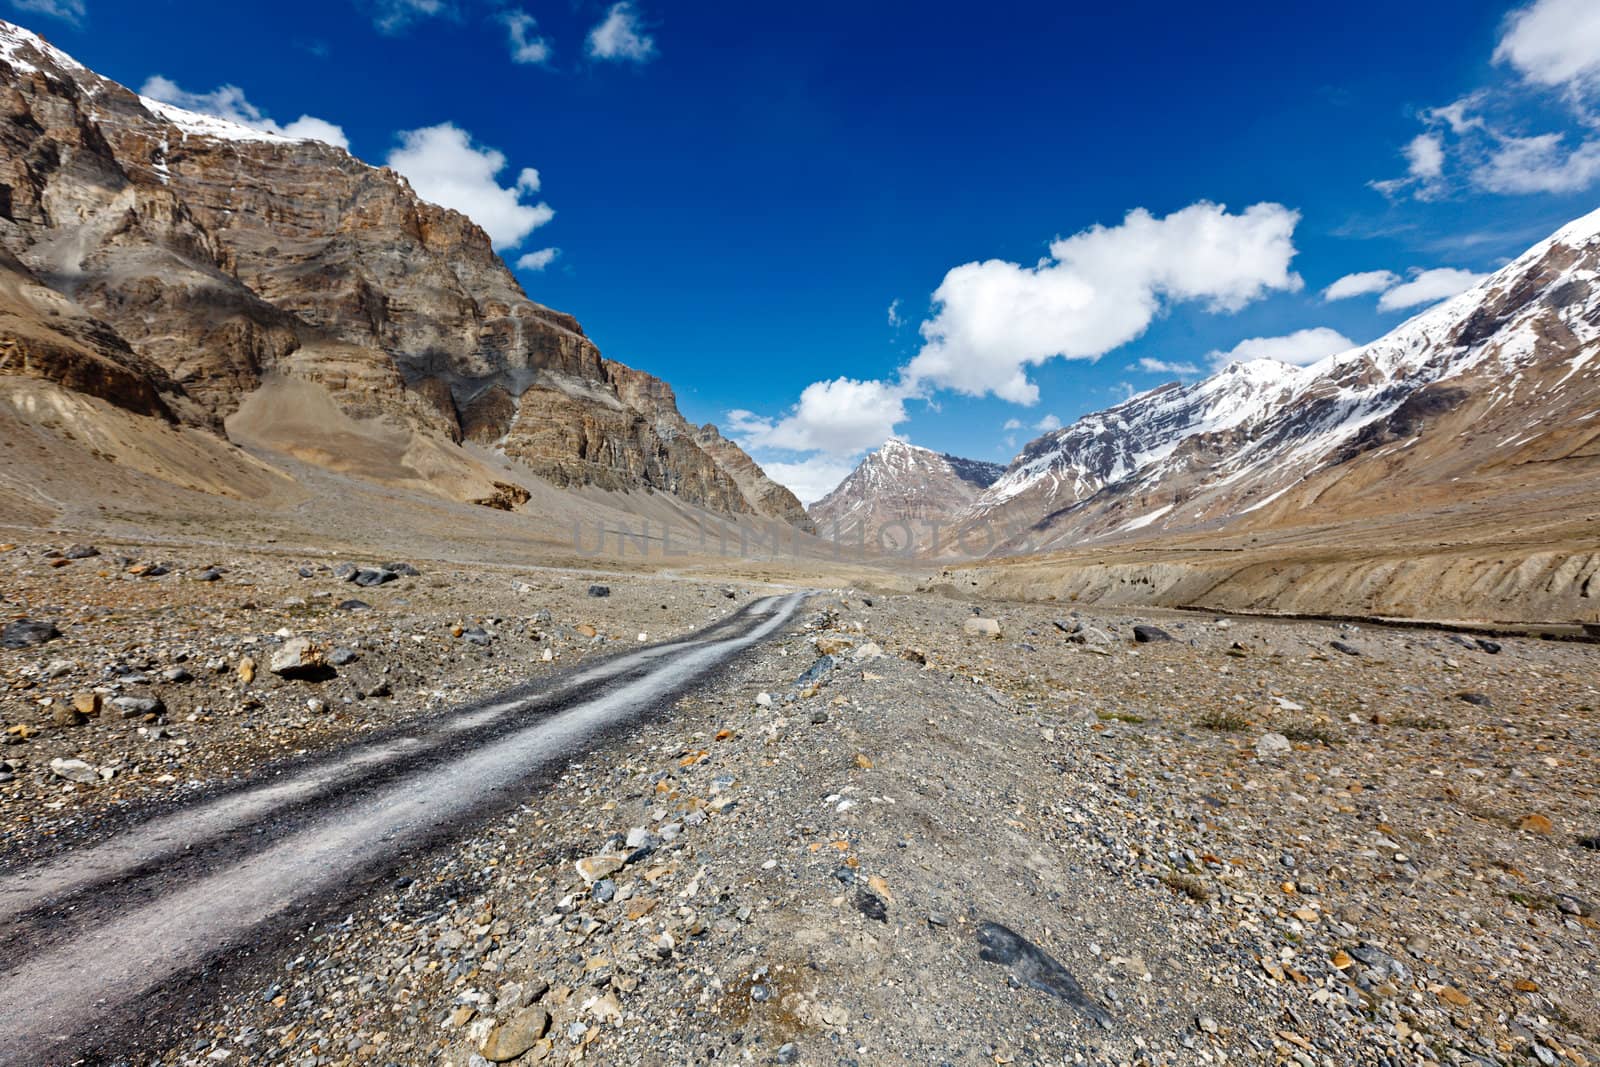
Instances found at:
x=92 y=938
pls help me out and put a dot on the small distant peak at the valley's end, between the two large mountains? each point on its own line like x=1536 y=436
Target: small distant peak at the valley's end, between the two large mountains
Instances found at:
x=902 y=489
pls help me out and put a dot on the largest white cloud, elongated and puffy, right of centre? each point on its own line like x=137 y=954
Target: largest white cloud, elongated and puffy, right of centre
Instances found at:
x=1097 y=292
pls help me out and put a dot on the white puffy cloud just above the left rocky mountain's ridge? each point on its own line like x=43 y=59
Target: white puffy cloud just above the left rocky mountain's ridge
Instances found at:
x=447 y=169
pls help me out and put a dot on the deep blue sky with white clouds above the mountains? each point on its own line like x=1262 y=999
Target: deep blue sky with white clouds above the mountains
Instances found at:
x=740 y=196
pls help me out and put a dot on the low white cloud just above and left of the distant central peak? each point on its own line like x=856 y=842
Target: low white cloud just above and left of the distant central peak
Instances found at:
x=841 y=418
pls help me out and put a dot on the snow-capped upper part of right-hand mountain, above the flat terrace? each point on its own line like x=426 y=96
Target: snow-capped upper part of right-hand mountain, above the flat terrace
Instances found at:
x=1503 y=374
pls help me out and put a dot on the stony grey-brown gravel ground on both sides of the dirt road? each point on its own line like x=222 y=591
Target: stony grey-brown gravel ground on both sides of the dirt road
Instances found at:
x=1054 y=845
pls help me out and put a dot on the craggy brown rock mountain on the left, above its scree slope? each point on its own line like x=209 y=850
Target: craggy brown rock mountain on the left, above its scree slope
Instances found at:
x=209 y=276
